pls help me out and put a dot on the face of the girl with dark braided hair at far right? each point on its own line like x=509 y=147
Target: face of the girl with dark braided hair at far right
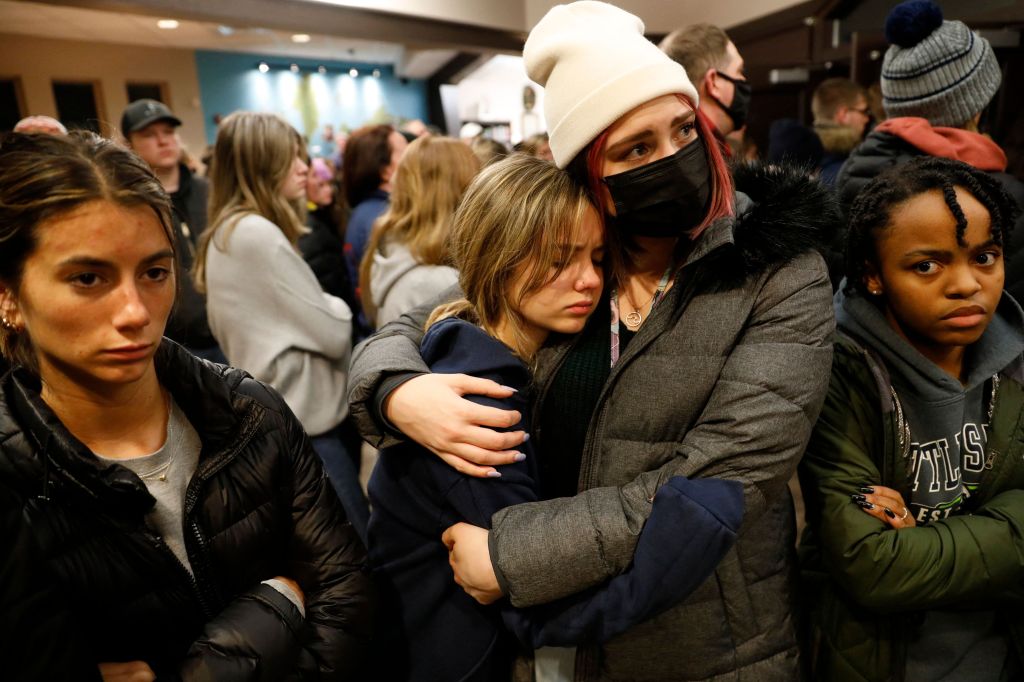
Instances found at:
x=940 y=295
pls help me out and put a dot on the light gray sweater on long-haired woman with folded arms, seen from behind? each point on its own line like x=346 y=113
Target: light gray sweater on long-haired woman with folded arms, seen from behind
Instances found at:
x=273 y=320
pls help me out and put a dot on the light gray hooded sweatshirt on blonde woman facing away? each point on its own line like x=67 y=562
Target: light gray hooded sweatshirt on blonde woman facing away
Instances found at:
x=399 y=283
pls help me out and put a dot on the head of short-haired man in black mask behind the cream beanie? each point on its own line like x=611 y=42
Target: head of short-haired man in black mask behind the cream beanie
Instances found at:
x=716 y=68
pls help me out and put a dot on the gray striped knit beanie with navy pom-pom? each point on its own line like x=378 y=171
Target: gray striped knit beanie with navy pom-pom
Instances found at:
x=935 y=70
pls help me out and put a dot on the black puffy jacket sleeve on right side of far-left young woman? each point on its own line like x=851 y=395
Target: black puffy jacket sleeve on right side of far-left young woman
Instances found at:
x=261 y=635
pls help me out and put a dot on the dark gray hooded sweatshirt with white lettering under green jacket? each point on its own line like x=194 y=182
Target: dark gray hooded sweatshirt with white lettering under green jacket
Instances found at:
x=949 y=423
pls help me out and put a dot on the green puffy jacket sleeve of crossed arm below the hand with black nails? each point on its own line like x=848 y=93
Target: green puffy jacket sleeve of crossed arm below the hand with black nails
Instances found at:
x=964 y=559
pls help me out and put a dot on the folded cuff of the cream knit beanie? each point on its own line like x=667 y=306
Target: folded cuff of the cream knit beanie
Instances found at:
x=595 y=113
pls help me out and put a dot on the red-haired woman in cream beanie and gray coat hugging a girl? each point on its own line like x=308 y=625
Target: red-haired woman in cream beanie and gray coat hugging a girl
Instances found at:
x=710 y=357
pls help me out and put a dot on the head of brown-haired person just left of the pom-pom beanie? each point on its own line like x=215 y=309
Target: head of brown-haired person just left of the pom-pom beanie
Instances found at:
x=841 y=117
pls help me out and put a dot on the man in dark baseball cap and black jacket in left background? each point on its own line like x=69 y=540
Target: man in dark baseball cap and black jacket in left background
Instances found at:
x=151 y=130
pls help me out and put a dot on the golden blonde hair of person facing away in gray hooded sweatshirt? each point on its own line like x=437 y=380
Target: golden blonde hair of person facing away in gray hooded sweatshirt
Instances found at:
x=430 y=182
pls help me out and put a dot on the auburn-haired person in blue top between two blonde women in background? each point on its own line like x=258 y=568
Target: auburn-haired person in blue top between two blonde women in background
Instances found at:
x=372 y=155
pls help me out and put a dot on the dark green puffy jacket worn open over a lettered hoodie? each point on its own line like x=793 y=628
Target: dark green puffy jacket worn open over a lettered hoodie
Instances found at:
x=866 y=586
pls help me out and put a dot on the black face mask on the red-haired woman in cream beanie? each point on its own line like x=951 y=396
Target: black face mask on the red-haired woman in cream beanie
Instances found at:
x=666 y=198
